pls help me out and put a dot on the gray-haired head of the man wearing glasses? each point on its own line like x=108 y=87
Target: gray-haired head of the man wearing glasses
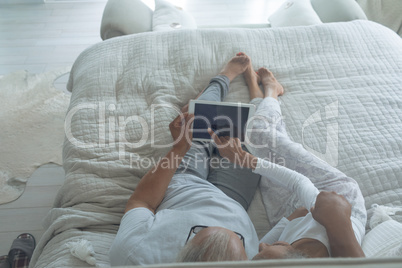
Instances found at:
x=213 y=244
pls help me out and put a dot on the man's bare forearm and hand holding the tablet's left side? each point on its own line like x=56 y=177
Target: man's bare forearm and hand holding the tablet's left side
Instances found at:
x=150 y=191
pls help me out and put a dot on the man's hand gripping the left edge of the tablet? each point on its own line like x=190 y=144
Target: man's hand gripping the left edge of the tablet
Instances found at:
x=181 y=133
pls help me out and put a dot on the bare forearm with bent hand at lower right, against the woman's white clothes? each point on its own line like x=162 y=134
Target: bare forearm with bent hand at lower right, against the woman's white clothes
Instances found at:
x=333 y=211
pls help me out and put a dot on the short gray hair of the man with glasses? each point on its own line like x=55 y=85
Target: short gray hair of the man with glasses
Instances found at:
x=216 y=247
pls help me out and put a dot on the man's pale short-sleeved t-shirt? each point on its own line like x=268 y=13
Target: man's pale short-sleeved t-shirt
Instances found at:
x=147 y=238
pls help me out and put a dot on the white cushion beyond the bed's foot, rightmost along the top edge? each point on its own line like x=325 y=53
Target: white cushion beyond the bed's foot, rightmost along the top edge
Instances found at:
x=338 y=10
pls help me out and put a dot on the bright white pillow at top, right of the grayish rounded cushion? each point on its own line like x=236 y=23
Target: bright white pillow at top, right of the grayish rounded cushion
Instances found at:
x=168 y=17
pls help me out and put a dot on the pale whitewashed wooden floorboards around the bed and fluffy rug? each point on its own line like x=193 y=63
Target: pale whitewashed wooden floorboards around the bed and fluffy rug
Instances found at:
x=43 y=37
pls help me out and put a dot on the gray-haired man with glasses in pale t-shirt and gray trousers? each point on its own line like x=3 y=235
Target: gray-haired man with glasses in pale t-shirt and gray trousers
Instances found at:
x=175 y=203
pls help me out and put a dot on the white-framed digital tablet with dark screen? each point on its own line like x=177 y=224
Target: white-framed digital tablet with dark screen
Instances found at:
x=224 y=118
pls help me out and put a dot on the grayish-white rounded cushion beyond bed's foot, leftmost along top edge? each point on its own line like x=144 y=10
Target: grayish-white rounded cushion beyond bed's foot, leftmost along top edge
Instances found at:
x=122 y=17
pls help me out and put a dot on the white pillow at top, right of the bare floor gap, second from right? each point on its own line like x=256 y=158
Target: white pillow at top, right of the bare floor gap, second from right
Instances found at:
x=294 y=13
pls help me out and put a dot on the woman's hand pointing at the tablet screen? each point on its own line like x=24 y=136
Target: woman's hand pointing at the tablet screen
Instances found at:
x=231 y=149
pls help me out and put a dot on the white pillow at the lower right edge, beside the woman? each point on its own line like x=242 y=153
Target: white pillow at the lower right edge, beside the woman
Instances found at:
x=385 y=240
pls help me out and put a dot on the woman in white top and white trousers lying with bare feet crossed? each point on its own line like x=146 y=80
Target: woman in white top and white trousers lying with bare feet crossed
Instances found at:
x=333 y=227
